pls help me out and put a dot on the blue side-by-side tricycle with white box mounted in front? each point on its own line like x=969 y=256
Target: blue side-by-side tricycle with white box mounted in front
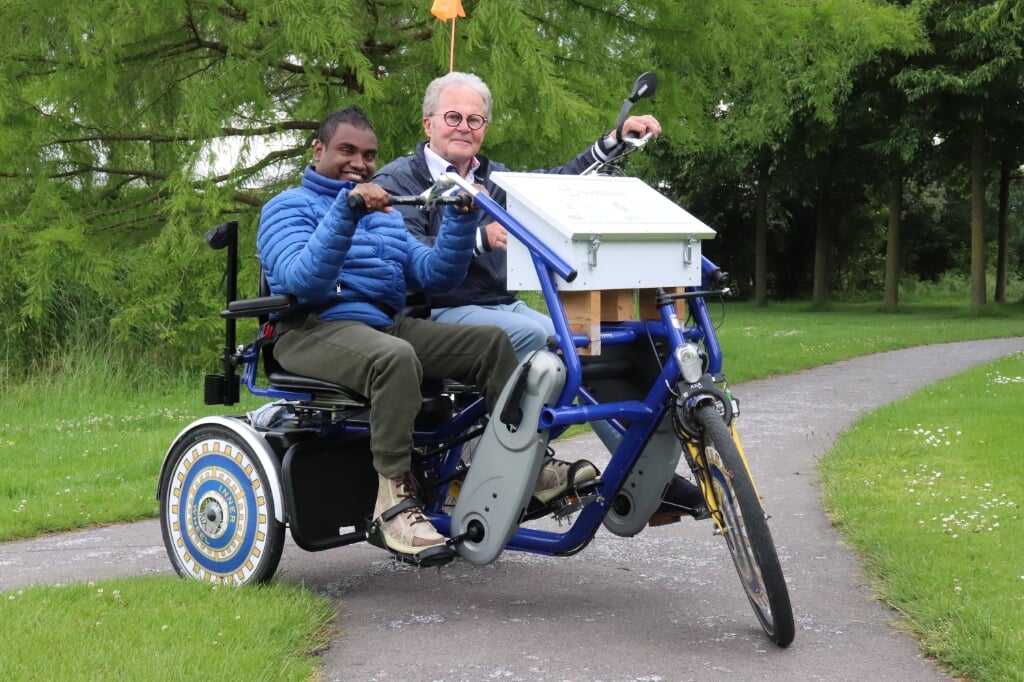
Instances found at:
x=232 y=485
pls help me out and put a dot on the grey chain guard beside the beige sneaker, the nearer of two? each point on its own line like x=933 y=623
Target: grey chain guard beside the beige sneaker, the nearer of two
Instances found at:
x=501 y=480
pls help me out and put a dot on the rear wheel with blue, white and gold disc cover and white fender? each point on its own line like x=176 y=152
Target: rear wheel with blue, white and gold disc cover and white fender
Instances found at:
x=217 y=510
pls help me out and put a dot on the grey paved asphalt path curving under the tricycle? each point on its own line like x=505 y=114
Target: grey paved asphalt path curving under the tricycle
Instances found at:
x=664 y=607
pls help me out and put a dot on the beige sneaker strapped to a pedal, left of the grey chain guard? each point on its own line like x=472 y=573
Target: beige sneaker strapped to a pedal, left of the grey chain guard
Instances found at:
x=404 y=528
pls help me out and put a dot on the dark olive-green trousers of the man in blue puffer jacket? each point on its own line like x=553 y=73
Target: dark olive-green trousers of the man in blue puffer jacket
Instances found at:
x=389 y=365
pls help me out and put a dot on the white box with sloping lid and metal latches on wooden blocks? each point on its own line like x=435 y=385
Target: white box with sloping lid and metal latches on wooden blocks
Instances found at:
x=618 y=233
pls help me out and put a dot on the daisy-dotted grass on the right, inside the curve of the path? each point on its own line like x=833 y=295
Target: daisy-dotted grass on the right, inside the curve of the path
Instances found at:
x=929 y=491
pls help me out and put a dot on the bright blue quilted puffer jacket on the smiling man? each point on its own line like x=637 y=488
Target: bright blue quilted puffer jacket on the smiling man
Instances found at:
x=311 y=247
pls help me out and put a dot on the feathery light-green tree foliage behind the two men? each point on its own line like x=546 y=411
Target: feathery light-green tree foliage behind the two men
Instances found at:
x=132 y=127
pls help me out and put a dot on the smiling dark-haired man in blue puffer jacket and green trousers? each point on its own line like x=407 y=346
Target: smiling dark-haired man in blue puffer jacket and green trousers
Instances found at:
x=352 y=275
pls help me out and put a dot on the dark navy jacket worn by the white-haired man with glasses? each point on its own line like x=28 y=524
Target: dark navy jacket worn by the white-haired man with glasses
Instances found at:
x=487 y=283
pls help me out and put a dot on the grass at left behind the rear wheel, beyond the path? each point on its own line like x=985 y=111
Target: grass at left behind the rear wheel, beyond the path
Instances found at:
x=83 y=451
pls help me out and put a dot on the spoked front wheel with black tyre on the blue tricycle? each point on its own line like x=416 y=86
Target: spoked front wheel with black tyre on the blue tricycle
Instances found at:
x=742 y=521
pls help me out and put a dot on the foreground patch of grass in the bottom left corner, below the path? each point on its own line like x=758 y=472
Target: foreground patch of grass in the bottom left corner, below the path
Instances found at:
x=162 y=629
